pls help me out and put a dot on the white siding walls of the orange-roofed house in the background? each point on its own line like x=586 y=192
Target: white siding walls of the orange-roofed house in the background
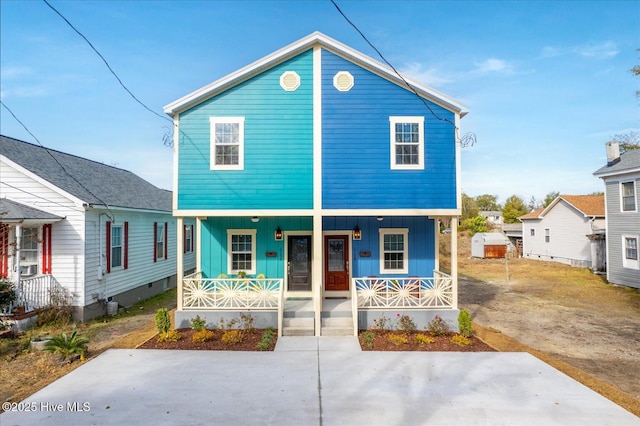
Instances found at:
x=568 y=243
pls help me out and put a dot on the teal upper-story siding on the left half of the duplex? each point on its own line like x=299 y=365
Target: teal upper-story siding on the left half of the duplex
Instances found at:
x=278 y=150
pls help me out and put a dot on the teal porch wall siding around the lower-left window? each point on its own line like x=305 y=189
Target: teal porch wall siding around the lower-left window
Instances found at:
x=213 y=244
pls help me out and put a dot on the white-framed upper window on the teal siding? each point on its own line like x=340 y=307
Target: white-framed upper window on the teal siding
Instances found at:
x=227 y=143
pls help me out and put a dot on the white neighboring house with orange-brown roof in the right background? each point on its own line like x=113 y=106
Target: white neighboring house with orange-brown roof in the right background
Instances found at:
x=569 y=230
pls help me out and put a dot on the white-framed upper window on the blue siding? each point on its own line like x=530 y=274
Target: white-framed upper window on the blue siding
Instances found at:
x=407 y=143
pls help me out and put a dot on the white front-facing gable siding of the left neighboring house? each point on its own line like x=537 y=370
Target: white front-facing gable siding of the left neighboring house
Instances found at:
x=67 y=235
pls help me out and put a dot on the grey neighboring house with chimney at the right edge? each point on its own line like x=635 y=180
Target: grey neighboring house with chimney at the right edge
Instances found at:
x=621 y=178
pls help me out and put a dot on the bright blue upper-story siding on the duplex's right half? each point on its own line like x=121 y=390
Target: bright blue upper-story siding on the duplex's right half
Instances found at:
x=356 y=155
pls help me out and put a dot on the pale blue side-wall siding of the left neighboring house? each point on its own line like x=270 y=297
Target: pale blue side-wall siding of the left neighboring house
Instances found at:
x=142 y=270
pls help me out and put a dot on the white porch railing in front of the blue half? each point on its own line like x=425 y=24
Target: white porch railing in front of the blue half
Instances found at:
x=406 y=293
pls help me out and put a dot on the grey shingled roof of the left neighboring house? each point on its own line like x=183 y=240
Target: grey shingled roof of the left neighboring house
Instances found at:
x=92 y=182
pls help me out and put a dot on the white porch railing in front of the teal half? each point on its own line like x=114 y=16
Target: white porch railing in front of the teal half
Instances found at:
x=230 y=293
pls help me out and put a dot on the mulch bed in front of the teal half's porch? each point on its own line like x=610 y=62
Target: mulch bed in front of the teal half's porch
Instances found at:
x=250 y=340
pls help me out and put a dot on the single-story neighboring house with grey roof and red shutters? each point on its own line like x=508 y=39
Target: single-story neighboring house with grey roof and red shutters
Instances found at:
x=100 y=232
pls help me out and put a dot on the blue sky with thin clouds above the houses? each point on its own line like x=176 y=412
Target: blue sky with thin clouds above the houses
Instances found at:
x=547 y=83
